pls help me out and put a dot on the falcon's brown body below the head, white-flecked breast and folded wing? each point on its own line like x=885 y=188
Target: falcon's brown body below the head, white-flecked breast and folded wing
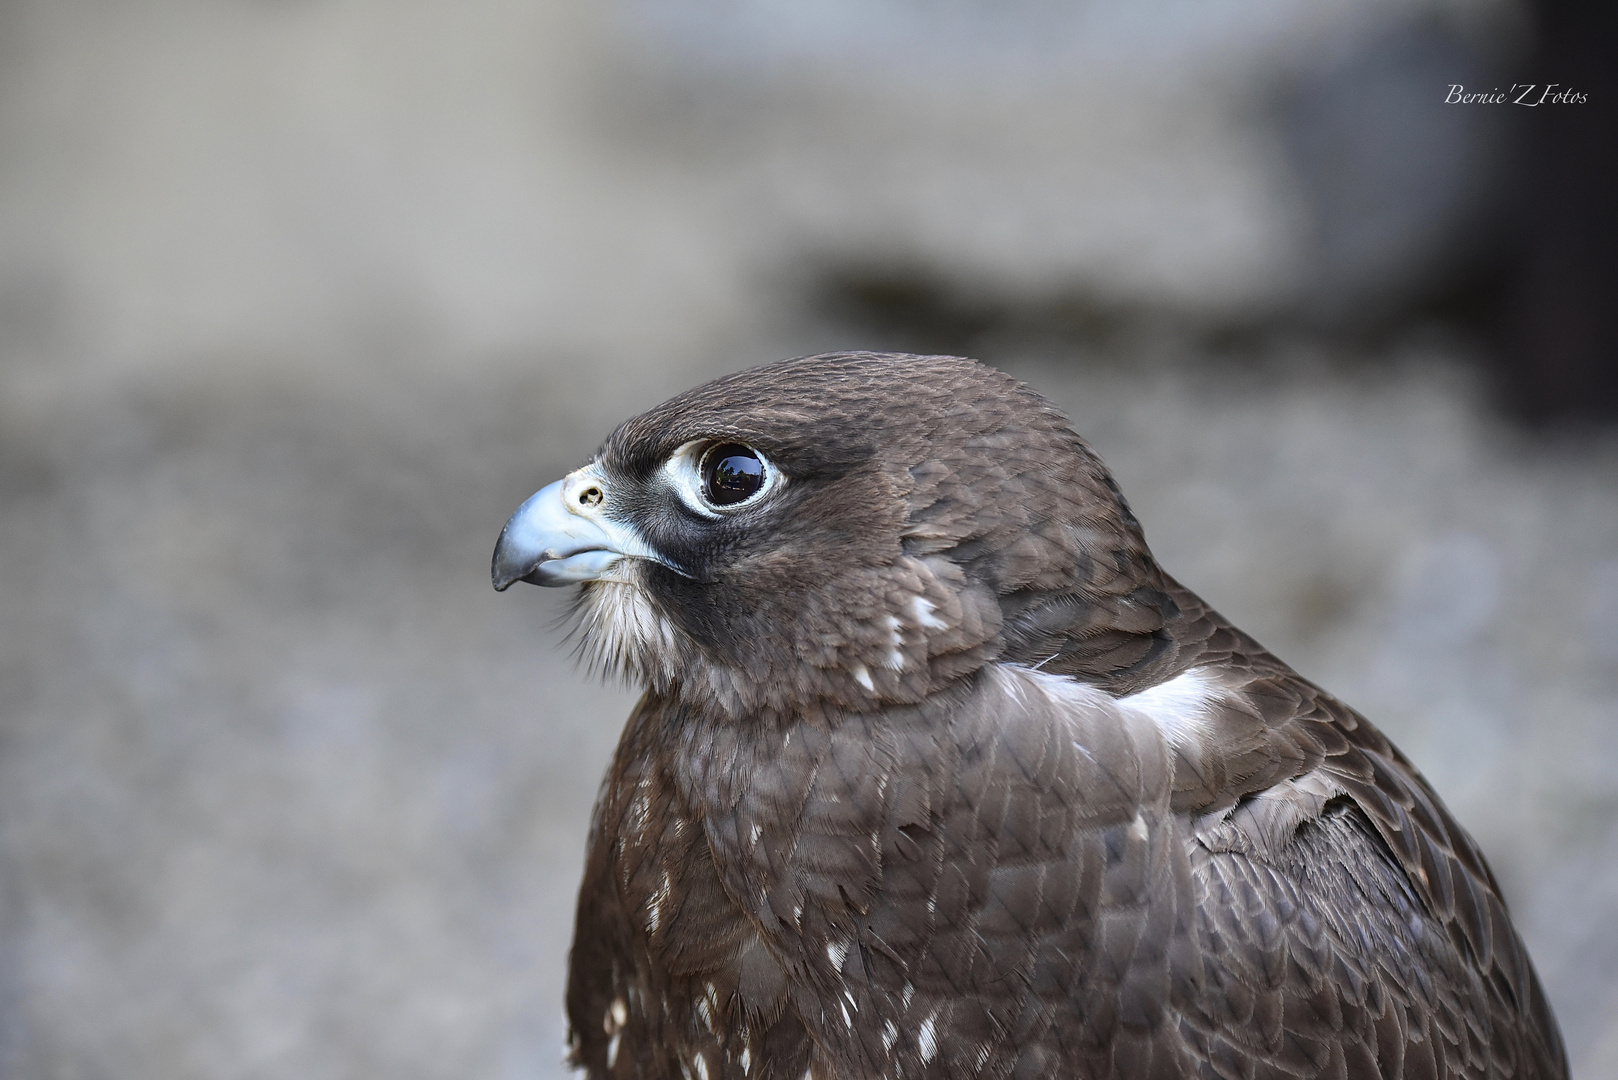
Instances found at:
x=1030 y=877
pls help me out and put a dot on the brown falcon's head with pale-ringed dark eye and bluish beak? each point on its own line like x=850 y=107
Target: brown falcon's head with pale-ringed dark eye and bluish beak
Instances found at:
x=852 y=530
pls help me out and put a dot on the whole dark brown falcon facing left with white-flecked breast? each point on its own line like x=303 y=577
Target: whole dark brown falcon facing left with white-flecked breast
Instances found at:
x=938 y=773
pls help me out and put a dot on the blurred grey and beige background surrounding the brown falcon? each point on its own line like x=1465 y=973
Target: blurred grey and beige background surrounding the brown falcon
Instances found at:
x=302 y=299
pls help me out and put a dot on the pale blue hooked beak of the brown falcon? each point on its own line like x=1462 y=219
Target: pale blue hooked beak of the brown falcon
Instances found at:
x=562 y=535
